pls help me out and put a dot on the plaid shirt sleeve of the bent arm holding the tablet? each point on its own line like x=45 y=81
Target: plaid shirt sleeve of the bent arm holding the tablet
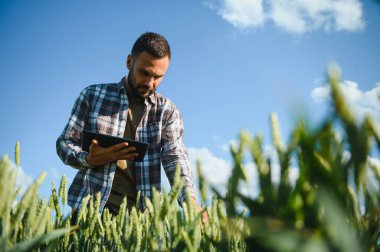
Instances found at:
x=68 y=143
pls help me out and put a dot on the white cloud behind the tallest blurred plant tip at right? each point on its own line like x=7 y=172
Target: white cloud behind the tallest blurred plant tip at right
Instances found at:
x=361 y=102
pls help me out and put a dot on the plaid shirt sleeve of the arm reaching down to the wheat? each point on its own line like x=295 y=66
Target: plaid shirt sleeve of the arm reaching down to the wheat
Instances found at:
x=174 y=153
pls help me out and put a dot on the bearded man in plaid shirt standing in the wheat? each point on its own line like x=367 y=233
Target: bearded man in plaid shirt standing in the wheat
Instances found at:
x=131 y=109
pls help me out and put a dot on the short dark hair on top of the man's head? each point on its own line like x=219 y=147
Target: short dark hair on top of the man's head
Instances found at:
x=152 y=43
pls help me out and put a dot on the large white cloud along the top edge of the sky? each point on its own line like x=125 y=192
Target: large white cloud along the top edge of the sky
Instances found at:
x=294 y=16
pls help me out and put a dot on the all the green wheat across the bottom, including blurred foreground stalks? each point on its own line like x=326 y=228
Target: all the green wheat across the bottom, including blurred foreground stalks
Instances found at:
x=330 y=207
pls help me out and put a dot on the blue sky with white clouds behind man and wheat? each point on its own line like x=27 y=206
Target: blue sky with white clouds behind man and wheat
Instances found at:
x=233 y=63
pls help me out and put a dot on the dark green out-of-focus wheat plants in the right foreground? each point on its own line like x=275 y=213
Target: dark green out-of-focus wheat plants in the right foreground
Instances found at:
x=331 y=205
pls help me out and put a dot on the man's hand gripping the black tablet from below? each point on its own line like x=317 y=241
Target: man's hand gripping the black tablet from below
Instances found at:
x=98 y=155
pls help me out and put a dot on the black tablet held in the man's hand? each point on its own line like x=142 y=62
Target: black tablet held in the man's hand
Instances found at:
x=108 y=140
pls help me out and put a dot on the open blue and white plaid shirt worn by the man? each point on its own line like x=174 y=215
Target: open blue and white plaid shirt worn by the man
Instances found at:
x=103 y=108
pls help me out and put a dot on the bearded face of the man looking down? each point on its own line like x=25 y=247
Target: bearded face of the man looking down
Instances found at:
x=146 y=73
